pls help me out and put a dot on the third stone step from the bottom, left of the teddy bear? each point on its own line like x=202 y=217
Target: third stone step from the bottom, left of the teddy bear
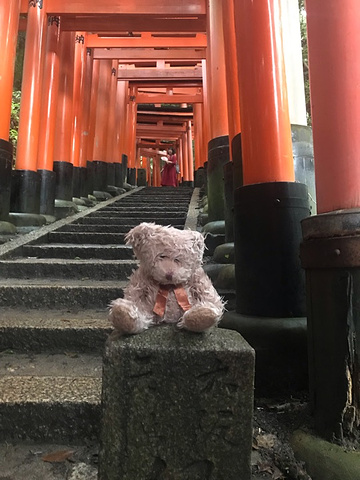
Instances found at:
x=58 y=293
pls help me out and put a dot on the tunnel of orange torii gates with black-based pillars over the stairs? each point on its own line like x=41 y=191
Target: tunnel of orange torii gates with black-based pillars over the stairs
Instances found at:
x=91 y=71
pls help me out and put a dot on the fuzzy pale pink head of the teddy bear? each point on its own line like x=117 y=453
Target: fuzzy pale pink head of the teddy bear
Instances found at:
x=166 y=254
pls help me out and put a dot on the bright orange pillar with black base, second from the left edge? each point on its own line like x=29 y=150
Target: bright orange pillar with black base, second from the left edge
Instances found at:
x=25 y=190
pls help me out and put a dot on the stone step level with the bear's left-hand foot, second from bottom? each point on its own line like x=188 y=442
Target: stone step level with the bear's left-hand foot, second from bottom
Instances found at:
x=54 y=331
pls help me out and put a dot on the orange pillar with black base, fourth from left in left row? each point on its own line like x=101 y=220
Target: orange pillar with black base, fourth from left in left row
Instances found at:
x=64 y=119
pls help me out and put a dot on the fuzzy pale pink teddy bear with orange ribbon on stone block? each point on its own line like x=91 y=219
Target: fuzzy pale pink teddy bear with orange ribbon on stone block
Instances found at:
x=169 y=285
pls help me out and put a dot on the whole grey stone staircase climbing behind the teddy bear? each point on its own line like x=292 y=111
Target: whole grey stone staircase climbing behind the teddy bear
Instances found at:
x=55 y=287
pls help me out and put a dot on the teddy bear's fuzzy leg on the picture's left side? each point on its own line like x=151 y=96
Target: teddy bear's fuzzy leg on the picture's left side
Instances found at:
x=126 y=317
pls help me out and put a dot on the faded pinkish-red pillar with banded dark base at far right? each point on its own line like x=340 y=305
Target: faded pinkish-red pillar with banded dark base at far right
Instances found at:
x=330 y=251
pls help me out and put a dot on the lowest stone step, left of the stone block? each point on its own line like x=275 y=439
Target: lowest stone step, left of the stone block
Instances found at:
x=62 y=406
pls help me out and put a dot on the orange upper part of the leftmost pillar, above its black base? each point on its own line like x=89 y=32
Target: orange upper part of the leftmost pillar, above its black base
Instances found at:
x=9 y=20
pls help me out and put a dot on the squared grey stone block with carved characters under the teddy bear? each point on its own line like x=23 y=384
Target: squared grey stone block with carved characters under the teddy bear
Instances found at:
x=177 y=405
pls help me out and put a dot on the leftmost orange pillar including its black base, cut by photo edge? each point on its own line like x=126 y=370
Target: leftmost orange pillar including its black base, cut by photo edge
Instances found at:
x=9 y=20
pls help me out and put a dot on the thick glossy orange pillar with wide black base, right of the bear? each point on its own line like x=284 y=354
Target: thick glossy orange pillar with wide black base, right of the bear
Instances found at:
x=269 y=207
